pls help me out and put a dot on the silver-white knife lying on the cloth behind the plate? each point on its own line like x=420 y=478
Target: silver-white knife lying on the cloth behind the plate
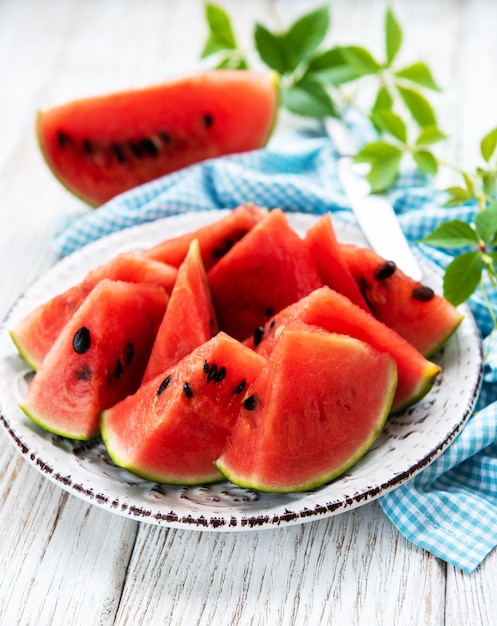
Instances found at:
x=373 y=212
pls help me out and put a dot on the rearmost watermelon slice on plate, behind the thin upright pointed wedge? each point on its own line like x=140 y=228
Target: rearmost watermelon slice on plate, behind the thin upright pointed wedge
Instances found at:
x=215 y=239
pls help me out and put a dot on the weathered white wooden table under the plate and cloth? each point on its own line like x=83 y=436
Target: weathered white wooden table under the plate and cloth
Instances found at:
x=63 y=561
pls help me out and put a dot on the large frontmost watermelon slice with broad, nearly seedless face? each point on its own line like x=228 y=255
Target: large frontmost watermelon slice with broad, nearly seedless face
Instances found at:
x=315 y=408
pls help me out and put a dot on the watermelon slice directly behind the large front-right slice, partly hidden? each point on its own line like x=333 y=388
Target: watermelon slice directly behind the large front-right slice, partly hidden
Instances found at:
x=335 y=313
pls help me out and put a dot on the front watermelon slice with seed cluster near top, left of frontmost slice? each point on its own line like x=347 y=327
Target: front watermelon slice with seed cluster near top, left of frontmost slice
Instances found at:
x=176 y=425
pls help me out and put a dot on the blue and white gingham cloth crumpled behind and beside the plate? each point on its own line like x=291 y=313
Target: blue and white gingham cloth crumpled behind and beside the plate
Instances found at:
x=450 y=508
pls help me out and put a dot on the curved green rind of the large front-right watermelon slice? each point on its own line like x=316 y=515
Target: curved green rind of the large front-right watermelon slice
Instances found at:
x=322 y=479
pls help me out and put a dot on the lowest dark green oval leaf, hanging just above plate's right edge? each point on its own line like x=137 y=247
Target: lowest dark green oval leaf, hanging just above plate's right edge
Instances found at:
x=462 y=277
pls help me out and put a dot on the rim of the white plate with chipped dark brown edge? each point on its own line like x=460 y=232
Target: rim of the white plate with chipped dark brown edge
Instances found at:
x=219 y=522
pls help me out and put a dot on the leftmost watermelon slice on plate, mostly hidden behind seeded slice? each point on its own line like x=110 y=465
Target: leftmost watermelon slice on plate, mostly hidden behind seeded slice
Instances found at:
x=35 y=334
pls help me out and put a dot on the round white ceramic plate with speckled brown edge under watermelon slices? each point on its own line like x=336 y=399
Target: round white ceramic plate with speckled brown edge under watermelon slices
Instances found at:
x=408 y=443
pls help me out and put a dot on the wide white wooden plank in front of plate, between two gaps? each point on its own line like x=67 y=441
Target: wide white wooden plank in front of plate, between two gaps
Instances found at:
x=344 y=570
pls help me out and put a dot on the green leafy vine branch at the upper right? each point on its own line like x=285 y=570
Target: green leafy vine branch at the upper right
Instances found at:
x=318 y=80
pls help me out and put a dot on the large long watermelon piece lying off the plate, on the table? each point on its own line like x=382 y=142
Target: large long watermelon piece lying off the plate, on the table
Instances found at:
x=99 y=147
